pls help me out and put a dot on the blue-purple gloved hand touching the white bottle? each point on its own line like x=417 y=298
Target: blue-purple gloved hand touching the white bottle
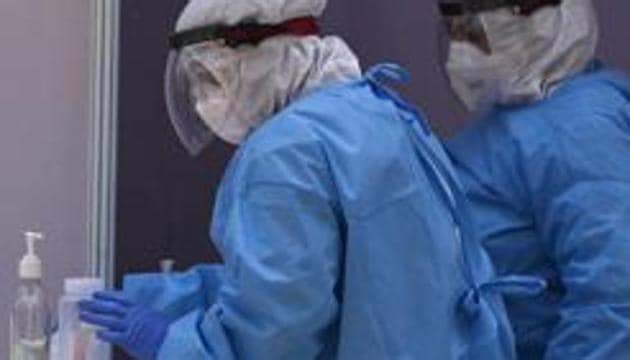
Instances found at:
x=138 y=330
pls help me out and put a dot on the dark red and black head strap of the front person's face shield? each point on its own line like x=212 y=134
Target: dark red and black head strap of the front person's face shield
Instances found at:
x=246 y=33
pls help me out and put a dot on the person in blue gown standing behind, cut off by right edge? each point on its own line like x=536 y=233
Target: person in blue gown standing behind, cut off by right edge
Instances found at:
x=546 y=164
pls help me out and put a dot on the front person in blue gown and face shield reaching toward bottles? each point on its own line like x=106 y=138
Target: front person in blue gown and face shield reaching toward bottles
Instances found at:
x=338 y=219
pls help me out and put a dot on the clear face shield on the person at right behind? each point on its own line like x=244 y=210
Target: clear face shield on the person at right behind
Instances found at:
x=487 y=46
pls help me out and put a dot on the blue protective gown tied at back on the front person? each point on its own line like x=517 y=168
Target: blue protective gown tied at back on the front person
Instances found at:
x=338 y=224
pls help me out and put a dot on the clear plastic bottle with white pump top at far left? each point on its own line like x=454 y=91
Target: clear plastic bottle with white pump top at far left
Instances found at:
x=30 y=315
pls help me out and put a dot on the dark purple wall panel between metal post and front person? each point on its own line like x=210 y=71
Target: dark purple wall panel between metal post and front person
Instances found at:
x=164 y=195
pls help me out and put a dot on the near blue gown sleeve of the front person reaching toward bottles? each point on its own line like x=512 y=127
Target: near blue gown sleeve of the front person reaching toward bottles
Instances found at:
x=278 y=229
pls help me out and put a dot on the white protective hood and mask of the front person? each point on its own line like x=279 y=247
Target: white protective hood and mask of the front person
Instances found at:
x=234 y=89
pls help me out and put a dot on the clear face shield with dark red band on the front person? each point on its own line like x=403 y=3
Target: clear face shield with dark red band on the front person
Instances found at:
x=200 y=83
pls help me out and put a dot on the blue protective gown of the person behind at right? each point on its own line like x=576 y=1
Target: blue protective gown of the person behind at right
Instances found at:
x=550 y=188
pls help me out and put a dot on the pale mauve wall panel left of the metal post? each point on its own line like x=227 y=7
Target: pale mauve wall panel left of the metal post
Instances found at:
x=43 y=139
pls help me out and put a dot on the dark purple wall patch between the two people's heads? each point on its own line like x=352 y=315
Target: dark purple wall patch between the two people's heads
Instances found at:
x=403 y=31
